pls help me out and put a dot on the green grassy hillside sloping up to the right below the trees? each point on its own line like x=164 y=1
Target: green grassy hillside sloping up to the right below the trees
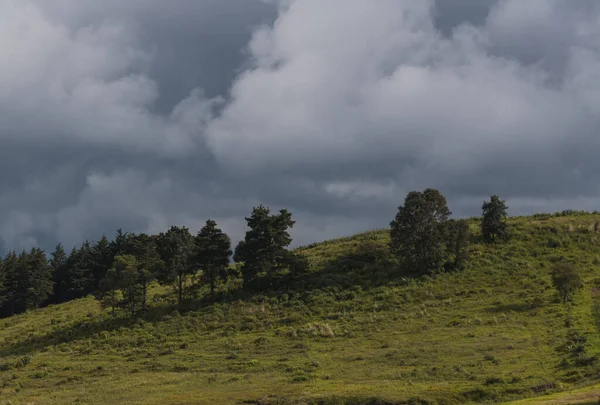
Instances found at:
x=352 y=332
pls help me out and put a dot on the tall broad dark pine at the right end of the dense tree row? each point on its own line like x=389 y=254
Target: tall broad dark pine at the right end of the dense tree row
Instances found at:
x=264 y=246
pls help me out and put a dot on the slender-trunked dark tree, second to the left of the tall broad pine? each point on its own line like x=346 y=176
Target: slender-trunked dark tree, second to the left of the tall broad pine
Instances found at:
x=175 y=248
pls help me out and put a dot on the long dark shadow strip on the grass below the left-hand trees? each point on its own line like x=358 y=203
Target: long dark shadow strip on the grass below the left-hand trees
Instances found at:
x=82 y=330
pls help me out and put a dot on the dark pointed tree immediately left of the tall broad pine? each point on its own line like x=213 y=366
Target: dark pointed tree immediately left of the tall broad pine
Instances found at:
x=213 y=250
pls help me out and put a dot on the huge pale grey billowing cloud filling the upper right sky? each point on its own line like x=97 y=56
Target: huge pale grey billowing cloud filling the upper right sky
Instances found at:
x=461 y=109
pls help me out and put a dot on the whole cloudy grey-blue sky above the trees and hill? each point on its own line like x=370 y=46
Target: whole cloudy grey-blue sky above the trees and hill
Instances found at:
x=141 y=114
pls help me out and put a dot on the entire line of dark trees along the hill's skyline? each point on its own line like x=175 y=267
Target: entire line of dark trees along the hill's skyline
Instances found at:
x=118 y=272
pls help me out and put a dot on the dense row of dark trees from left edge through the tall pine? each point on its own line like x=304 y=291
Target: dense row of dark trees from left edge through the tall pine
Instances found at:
x=119 y=271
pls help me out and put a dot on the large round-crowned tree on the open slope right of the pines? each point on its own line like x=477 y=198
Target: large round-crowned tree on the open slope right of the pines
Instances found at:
x=419 y=233
